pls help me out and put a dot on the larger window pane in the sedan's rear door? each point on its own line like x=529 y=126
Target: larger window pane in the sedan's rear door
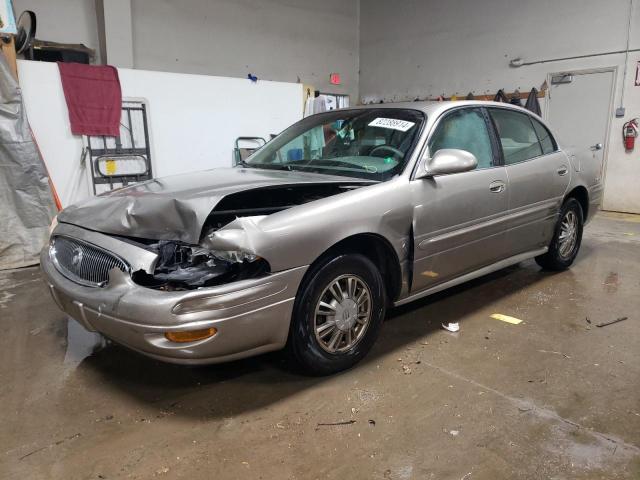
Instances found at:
x=517 y=136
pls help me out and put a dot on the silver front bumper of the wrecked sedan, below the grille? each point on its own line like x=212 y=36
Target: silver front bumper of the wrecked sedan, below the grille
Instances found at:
x=251 y=316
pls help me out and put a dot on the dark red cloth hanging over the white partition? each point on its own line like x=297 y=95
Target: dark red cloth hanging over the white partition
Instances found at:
x=94 y=98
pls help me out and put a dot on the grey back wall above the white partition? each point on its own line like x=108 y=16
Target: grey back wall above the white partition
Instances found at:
x=282 y=40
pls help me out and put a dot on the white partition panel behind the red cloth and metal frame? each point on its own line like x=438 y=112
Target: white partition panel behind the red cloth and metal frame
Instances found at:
x=193 y=119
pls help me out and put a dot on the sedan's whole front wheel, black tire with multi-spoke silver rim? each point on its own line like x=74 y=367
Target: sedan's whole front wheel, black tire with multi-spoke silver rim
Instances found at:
x=337 y=315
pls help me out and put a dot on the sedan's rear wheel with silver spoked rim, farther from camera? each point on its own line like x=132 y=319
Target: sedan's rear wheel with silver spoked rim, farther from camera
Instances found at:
x=566 y=238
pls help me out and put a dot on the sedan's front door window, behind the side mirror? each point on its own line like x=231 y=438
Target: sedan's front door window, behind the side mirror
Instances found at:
x=464 y=129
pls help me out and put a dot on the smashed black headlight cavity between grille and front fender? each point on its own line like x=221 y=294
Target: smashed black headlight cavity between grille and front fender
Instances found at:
x=185 y=267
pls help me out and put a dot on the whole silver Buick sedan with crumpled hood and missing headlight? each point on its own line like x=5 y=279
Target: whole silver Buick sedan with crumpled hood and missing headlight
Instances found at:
x=306 y=243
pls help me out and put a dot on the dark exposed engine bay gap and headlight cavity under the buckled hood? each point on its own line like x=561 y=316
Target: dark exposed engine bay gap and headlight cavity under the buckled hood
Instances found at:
x=181 y=266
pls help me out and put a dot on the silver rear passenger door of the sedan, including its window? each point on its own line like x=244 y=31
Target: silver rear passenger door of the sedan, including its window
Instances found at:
x=538 y=177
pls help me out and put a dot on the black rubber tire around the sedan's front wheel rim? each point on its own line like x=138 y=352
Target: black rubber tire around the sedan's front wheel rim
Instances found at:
x=303 y=347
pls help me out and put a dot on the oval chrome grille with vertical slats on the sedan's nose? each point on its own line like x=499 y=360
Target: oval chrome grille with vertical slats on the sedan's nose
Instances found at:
x=82 y=262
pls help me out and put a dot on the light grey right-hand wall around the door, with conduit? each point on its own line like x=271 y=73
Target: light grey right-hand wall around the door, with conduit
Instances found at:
x=422 y=49
